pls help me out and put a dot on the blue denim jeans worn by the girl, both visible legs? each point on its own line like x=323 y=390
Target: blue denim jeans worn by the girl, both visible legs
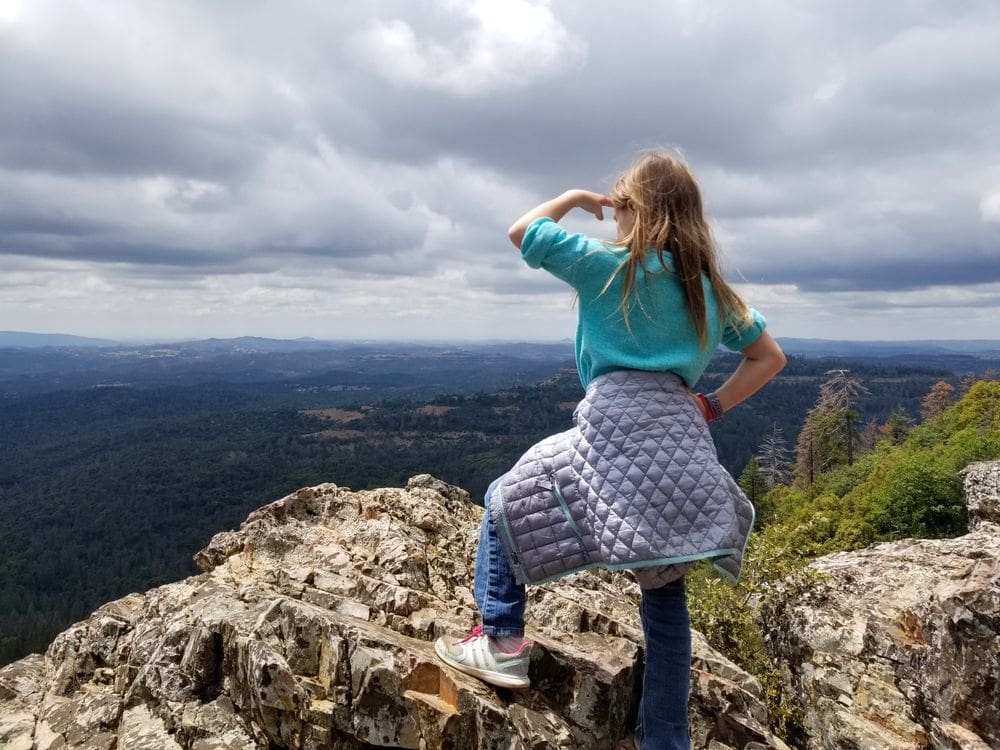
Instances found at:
x=666 y=681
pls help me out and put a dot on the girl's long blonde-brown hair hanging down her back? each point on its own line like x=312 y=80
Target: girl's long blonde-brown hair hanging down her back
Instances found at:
x=663 y=193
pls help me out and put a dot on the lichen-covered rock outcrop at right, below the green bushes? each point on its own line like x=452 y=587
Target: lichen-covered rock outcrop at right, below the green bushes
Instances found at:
x=897 y=646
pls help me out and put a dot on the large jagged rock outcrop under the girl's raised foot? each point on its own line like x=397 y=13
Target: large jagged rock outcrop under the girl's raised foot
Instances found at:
x=312 y=627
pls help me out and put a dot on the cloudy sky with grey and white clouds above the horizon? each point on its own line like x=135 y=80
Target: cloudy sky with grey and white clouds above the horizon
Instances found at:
x=349 y=169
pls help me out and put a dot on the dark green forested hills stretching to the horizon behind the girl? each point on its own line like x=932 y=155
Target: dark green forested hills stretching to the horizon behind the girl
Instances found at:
x=110 y=487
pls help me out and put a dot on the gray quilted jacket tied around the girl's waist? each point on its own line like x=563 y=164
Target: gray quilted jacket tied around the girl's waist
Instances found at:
x=635 y=484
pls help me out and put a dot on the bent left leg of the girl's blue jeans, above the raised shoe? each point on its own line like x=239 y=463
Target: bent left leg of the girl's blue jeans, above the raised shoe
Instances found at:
x=500 y=598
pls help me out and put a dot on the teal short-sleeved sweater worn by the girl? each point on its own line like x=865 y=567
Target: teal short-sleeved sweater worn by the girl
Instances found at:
x=662 y=336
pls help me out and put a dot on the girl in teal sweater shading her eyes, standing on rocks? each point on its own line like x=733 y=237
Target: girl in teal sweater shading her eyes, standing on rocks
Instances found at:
x=636 y=484
